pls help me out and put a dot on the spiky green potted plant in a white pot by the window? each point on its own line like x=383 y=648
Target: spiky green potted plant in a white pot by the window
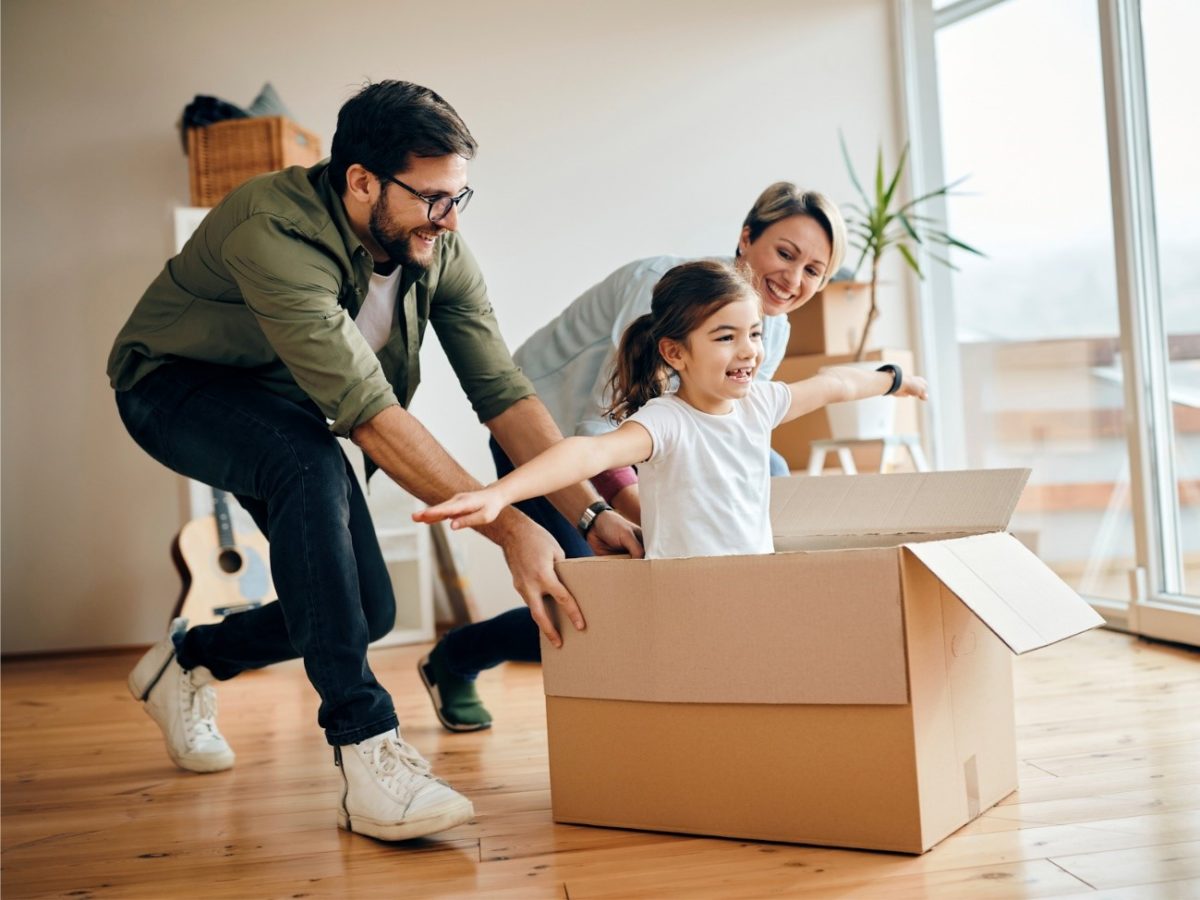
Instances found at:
x=875 y=227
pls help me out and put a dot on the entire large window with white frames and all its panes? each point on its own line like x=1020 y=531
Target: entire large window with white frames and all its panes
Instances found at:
x=1078 y=339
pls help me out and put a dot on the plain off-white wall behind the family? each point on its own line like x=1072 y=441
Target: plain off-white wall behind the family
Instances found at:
x=608 y=131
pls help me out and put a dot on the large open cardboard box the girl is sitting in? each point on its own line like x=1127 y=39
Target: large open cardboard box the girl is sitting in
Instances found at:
x=854 y=689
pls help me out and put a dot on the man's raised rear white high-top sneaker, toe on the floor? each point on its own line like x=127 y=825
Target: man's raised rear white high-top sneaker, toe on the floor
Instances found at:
x=184 y=704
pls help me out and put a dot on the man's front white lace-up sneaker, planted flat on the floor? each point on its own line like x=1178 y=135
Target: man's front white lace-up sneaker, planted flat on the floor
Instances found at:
x=389 y=793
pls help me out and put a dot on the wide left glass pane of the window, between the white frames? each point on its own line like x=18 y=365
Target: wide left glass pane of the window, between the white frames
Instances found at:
x=1023 y=115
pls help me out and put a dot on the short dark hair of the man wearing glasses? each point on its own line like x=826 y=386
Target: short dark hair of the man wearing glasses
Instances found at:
x=385 y=125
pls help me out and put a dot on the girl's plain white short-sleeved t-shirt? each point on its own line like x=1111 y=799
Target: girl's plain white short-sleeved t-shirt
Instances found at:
x=706 y=488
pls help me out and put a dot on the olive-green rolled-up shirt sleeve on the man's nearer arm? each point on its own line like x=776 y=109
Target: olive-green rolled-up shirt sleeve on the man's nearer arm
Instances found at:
x=292 y=289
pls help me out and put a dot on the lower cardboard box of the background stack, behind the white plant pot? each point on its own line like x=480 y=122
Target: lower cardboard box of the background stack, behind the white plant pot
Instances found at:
x=794 y=440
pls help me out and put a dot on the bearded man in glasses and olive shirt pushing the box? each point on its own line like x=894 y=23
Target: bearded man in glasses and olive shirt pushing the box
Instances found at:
x=296 y=314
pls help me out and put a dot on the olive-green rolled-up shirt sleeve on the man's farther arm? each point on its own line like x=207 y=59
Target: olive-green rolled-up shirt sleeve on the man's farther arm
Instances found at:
x=466 y=327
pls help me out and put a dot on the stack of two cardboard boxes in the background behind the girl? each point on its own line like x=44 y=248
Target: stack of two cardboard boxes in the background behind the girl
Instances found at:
x=826 y=333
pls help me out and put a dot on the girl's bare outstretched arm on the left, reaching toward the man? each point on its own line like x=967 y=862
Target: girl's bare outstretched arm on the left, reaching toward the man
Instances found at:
x=565 y=464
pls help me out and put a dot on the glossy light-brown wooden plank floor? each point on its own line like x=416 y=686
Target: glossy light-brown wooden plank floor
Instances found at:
x=1109 y=805
